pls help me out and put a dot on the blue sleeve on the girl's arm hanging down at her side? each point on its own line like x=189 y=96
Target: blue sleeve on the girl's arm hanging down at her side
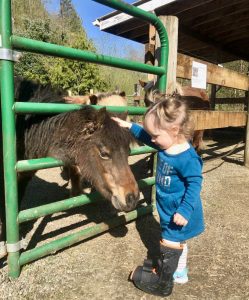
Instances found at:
x=191 y=173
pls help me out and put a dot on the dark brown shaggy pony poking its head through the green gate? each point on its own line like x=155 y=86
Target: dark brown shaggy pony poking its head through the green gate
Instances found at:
x=88 y=141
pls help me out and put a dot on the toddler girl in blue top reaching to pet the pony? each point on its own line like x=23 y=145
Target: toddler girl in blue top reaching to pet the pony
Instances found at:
x=178 y=184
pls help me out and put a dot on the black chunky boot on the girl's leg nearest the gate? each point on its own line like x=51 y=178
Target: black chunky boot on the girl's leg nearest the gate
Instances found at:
x=158 y=281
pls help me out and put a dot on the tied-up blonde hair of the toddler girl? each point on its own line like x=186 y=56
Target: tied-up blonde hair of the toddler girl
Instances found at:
x=172 y=110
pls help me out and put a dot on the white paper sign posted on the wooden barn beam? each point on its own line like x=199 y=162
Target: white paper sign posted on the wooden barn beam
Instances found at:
x=199 y=75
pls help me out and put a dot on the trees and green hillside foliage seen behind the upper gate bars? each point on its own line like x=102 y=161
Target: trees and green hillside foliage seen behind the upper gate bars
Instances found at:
x=32 y=20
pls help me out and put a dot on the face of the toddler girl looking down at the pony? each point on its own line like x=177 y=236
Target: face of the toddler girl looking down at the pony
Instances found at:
x=163 y=137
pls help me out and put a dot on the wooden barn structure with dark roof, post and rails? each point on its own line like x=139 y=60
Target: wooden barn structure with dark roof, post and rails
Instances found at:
x=210 y=32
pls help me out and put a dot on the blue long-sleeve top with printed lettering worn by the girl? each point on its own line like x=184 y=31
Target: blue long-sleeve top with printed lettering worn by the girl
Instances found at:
x=178 y=187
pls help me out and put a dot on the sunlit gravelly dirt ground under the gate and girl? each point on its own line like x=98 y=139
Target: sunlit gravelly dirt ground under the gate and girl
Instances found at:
x=99 y=267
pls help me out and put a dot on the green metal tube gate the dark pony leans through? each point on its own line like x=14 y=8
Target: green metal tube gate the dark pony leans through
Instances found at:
x=8 y=44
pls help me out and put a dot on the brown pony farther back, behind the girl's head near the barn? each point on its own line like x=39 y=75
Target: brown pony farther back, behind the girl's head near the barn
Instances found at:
x=195 y=98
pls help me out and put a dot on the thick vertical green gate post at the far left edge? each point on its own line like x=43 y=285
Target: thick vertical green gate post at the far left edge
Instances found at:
x=9 y=142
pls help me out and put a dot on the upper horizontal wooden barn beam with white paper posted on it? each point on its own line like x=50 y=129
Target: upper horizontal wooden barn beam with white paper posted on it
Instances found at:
x=215 y=74
